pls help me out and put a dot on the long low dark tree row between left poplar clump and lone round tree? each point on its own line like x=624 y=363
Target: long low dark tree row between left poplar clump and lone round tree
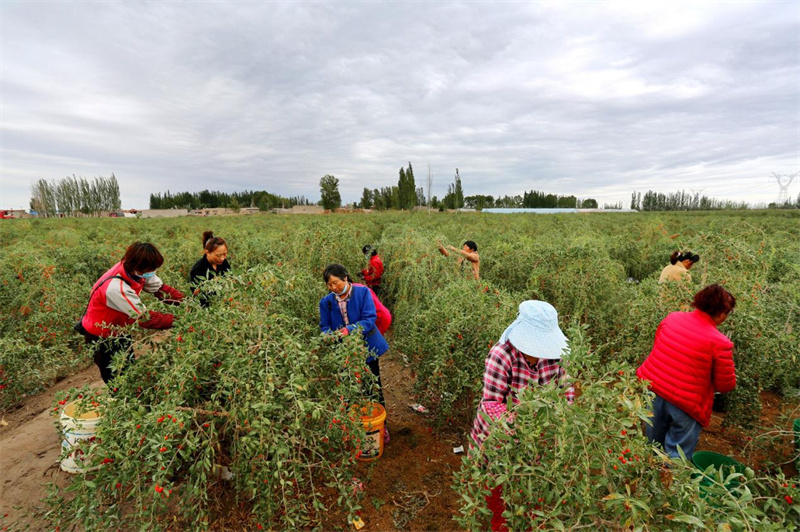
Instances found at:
x=207 y=199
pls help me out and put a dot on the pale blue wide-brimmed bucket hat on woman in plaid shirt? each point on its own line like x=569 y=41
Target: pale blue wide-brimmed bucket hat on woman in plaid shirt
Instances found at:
x=535 y=332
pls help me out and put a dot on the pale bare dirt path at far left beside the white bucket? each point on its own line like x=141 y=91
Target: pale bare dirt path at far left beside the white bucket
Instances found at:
x=29 y=451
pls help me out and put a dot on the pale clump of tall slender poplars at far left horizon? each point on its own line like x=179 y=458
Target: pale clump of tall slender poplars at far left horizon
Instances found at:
x=75 y=196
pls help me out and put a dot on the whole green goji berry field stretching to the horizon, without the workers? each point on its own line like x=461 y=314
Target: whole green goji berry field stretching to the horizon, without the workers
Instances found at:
x=251 y=385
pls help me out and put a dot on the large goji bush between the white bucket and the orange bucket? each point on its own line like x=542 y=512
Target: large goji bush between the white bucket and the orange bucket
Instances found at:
x=247 y=385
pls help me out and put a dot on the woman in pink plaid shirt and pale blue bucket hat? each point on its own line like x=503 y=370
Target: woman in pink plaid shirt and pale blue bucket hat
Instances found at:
x=527 y=353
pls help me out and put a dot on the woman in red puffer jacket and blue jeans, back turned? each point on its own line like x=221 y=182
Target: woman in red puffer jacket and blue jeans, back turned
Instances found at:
x=690 y=360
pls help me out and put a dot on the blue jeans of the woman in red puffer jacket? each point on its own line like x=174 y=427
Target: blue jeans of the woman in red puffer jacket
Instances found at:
x=673 y=428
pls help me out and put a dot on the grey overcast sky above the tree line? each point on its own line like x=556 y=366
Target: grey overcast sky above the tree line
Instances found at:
x=595 y=99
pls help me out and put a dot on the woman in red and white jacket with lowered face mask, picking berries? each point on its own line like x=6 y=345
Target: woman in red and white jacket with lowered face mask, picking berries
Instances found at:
x=114 y=302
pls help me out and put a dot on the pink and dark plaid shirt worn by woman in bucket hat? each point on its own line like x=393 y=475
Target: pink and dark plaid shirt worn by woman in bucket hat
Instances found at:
x=507 y=374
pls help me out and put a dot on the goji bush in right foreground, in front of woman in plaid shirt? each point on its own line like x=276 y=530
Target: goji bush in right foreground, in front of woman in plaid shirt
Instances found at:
x=587 y=465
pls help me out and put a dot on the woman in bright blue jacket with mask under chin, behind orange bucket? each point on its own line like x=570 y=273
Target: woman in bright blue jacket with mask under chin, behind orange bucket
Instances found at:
x=346 y=309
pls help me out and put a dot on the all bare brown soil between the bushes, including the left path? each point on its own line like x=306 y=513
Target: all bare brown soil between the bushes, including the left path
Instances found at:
x=408 y=488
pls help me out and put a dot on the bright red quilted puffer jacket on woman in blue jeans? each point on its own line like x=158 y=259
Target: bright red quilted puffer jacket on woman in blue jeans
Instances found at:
x=690 y=360
